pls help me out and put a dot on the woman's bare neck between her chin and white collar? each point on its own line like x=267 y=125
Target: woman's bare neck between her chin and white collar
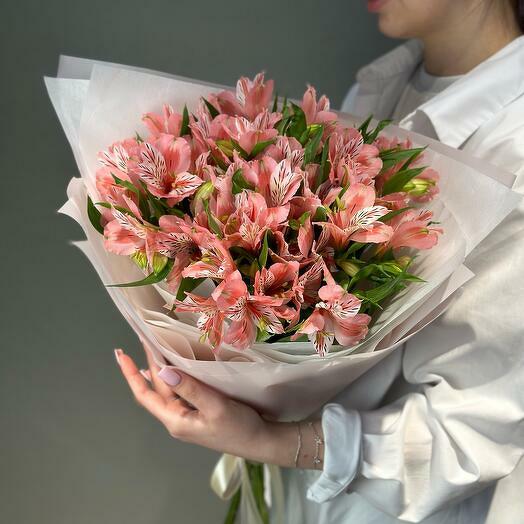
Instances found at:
x=456 y=50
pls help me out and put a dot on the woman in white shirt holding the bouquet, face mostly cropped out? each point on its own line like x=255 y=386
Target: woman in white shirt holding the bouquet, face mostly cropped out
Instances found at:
x=427 y=433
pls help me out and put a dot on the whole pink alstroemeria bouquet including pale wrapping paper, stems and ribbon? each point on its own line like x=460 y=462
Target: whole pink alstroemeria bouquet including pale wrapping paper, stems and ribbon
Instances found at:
x=256 y=242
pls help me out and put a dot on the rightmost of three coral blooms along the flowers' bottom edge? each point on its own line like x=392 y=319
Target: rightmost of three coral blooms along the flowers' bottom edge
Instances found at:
x=335 y=316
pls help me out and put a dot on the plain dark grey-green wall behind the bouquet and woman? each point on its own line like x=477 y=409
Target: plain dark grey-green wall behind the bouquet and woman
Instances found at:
x=74 y=447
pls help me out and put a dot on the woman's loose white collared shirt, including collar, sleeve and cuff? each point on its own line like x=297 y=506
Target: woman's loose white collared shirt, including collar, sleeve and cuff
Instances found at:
x=436 y=426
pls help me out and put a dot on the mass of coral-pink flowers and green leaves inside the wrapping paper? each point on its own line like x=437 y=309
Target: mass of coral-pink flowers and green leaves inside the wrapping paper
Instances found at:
x=298 y=221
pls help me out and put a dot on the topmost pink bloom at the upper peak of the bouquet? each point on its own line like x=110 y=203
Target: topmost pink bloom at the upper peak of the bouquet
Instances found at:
x=251 y=97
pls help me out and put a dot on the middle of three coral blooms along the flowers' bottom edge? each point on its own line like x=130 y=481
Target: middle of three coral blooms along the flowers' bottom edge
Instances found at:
x=246 y=312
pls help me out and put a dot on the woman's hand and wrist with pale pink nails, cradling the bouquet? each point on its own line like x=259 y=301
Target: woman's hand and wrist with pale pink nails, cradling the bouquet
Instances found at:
x=196 y=413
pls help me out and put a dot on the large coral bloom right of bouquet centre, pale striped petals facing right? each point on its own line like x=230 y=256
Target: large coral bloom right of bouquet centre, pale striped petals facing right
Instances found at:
x=358 y=219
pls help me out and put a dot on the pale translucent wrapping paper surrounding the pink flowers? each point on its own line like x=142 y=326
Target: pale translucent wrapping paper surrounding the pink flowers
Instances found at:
x=100 y=103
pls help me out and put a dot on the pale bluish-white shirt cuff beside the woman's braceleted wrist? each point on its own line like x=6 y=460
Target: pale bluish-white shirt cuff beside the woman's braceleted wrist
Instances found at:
x=342 y=452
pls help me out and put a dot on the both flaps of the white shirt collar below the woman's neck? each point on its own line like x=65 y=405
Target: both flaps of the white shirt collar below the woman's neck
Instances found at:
x=458 y=111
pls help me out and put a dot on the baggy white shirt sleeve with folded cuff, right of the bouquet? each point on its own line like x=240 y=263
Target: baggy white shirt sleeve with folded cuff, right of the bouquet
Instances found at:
x=461 y=425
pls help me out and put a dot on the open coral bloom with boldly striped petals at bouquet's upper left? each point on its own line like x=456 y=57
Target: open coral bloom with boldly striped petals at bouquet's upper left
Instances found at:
x=164 y=168
